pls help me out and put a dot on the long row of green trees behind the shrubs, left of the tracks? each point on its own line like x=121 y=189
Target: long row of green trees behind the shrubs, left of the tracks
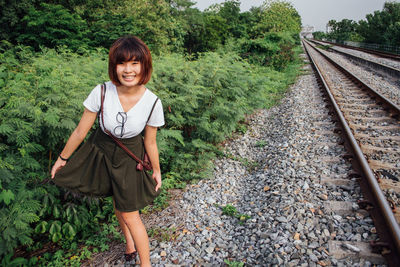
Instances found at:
x=165 y=25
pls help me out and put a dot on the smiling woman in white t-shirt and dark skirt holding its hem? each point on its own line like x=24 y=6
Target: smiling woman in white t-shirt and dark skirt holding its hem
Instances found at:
x=101 y=167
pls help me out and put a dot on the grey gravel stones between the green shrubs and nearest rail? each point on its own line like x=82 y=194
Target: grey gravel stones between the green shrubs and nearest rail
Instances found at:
x=273 y=199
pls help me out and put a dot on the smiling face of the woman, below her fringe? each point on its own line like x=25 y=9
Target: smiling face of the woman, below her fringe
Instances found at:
x=128 y=73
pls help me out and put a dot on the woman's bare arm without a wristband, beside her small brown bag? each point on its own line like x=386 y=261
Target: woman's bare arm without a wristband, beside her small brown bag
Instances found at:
x=150 y=145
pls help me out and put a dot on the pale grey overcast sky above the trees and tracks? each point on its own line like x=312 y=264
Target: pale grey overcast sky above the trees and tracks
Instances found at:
x=317 y=12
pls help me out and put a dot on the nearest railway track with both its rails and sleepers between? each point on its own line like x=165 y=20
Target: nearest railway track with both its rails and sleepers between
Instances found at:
x=371 y=123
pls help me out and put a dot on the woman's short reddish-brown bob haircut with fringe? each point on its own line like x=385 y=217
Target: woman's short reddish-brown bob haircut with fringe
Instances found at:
x=129 y=48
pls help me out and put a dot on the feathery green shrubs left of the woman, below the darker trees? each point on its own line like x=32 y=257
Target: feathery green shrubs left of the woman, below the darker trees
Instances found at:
x=41 y=101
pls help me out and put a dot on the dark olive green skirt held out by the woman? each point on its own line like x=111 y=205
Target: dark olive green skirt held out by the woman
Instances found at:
x=100 y=168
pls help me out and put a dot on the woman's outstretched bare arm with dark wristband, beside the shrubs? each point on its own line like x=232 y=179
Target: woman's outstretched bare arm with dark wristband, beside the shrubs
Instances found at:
x=76 y=138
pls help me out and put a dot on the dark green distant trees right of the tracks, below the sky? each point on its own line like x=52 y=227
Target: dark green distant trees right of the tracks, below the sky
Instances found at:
x=381 y=27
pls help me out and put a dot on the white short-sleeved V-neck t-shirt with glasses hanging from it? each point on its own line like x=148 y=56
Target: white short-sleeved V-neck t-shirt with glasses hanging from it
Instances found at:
x=131 y=123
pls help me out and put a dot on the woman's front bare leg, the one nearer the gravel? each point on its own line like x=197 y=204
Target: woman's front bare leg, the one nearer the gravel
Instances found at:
x=139 y=234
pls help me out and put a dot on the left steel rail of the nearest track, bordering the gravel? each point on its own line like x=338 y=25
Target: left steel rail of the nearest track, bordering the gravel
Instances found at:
x=378 y=196
